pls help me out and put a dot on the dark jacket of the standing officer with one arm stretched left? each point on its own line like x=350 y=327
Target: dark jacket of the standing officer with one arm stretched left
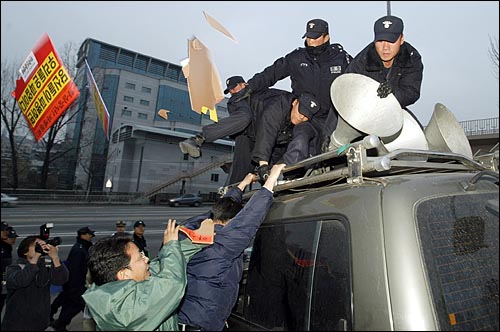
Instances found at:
x=311 y=70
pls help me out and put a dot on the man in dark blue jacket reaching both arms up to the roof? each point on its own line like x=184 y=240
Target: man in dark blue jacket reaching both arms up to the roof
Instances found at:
x=214 y=273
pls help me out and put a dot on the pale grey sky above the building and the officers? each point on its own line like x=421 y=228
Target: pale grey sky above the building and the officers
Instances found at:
x=452 y=37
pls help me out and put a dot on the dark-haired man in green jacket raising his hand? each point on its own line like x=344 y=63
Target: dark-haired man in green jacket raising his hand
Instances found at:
x=127 y=293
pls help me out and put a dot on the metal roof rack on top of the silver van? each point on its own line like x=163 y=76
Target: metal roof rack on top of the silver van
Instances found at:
x=353 y=164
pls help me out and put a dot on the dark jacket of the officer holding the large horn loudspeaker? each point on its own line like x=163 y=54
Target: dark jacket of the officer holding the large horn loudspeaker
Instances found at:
x=405 y=76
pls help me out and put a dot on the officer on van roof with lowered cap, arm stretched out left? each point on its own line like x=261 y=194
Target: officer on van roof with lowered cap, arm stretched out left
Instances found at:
x=312 y=69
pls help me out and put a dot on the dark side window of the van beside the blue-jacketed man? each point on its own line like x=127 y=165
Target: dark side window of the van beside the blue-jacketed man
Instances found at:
x=298 y=277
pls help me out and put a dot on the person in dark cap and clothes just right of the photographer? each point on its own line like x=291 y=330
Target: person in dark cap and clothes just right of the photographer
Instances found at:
x=72 y=301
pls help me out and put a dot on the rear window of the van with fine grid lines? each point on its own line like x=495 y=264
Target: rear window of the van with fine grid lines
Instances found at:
x=460 y=243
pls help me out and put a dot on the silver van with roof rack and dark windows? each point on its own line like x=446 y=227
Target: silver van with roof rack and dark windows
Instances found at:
x=406 y=241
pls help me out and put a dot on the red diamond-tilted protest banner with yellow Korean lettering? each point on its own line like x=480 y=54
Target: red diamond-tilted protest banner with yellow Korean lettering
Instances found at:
x=45 y=89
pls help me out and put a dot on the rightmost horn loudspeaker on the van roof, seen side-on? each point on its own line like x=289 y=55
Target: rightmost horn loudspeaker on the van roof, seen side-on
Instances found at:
x=445 y=134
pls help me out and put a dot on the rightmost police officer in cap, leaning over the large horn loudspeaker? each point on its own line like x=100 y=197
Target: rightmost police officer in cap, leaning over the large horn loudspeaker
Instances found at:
x=391 y=61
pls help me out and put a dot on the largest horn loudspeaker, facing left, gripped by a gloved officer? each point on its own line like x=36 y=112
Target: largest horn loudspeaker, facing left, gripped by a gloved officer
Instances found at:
x=361 y=111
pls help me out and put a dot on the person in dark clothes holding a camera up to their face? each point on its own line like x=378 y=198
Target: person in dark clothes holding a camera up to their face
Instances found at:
x=27 y=307
